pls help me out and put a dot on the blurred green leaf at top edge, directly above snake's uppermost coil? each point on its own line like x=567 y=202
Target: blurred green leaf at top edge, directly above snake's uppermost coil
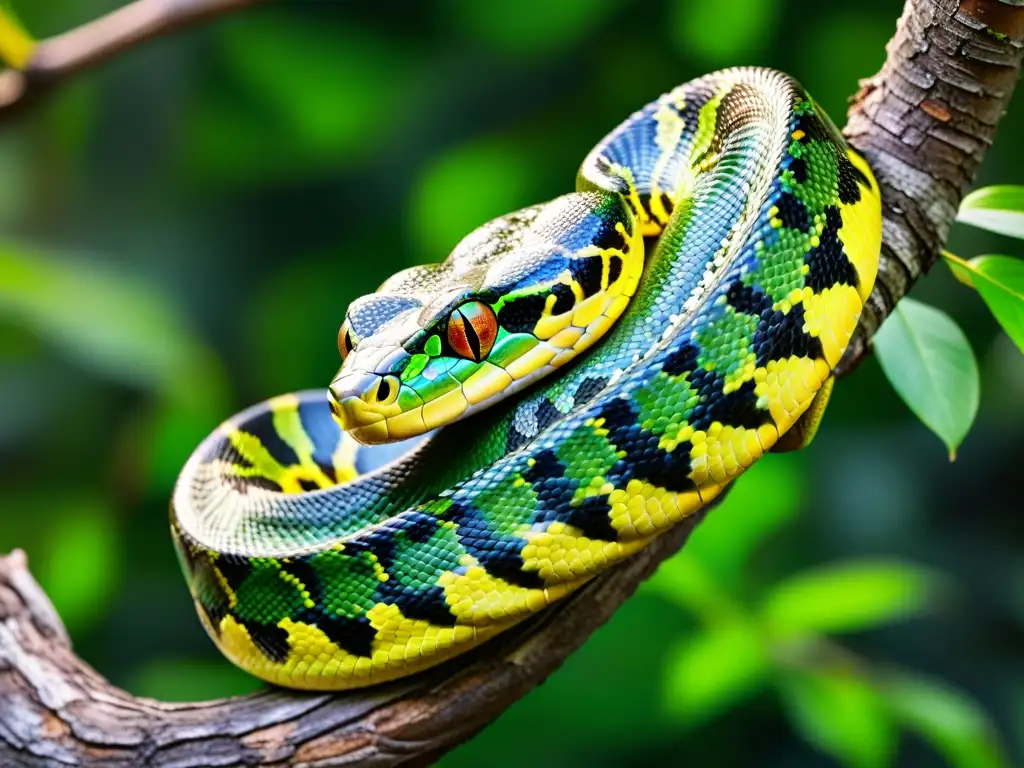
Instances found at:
x=700 y=29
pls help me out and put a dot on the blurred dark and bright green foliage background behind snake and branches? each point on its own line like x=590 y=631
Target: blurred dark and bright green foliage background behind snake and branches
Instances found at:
x=182 y=231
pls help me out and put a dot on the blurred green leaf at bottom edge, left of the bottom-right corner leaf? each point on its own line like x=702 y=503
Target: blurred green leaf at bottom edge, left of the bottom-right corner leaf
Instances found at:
x=841 y=714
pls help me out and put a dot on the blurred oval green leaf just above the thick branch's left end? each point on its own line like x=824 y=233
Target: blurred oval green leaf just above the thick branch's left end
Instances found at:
x=81 y=561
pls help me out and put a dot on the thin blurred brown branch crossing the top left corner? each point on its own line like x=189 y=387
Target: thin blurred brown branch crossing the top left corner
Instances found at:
x=58 y=58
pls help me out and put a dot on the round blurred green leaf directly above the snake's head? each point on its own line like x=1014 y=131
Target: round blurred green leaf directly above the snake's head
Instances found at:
x=466 y=188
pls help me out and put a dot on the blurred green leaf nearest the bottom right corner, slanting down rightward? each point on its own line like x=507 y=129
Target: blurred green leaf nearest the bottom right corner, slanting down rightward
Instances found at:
x=947 y=718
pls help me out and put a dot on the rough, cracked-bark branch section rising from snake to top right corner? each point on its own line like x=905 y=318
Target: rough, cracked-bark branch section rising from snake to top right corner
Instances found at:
x=924 y=123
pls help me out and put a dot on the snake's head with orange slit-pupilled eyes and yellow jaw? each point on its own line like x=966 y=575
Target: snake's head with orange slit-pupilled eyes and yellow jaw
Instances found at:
x=519 y=298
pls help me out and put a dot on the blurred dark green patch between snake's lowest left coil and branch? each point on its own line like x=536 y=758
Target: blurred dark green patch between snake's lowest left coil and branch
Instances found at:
x=191 y=680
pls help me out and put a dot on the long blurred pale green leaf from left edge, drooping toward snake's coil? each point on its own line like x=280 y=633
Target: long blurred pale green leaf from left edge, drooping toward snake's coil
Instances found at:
x=127 y=331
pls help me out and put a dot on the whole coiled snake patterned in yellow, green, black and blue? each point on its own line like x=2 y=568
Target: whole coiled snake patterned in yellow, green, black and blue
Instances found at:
x=575 y=379
